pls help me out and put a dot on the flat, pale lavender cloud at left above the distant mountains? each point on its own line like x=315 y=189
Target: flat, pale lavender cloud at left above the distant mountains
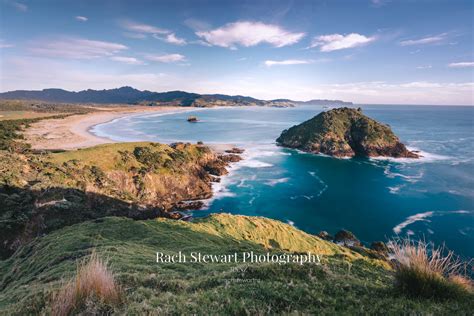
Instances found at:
x=76 y=48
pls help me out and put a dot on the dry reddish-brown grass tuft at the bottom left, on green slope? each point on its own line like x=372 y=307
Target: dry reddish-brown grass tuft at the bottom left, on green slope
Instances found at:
x=93 y=282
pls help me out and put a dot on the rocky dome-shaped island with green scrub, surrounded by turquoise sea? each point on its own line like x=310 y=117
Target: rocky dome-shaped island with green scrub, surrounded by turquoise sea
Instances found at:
x=345 y=132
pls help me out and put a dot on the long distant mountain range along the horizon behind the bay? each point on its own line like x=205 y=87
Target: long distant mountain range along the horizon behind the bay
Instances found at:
x=131 y=95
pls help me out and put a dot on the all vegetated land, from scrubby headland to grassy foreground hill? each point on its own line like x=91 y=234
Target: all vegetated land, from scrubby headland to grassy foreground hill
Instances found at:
x=79 y=235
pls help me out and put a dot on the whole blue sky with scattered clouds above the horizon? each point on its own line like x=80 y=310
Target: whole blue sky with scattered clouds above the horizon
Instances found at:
x=364 y=51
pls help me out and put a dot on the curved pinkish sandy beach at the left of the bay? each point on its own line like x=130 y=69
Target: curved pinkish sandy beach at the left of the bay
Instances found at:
x=73 y=132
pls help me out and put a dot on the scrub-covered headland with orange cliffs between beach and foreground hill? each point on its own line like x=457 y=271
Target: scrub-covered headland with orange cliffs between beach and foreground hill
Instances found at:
x=42 y=193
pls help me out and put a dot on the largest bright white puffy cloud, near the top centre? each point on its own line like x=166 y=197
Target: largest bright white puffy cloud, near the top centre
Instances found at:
x=249 y=34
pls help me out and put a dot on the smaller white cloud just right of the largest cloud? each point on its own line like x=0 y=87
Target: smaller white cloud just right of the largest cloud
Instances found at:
x=331 y=42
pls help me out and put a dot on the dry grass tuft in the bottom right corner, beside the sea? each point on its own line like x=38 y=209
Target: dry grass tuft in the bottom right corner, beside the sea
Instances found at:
x=423 y=270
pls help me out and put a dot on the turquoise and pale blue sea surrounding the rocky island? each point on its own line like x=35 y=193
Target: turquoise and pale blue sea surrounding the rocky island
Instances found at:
x=430 y=198
